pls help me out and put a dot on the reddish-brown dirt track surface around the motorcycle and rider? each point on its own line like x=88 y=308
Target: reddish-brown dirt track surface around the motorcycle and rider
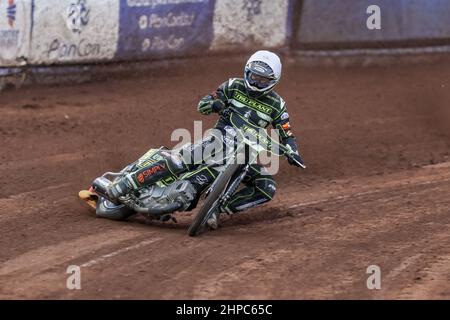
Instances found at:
x=376 y=192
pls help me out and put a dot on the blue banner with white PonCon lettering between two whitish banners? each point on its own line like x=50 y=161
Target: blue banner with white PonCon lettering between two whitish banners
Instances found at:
x=164 y=28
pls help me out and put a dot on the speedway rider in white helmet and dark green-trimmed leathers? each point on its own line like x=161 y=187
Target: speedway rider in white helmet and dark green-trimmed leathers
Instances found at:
x=252 y=96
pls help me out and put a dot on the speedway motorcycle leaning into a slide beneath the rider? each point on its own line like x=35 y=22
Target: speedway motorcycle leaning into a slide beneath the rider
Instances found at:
x=161 y=200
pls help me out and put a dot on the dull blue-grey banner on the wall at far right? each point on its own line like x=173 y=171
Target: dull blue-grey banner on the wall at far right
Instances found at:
x=345 y=21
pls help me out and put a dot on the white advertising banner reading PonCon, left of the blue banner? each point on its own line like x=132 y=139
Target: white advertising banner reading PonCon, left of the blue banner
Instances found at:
x=73 y=31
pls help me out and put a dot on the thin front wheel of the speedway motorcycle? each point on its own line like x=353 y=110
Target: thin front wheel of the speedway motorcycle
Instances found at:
x=212 y=201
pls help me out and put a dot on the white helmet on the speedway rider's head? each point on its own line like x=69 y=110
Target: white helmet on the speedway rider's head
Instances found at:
x=262 y=72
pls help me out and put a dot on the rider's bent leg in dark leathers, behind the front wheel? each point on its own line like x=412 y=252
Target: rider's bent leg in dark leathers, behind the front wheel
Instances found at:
x=259 y=188
